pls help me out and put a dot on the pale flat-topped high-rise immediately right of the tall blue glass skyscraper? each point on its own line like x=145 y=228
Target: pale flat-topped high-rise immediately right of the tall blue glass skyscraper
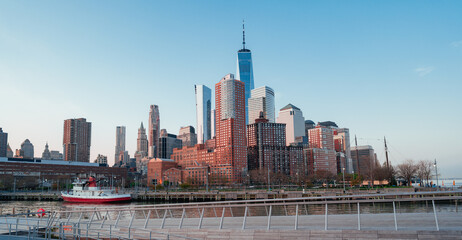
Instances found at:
x=261 y=100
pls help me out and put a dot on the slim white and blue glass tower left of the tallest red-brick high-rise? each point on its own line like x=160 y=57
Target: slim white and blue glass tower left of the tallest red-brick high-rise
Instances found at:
x=203 y=113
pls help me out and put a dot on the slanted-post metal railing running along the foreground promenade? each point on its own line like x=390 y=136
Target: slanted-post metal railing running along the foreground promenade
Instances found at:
x=138 y=221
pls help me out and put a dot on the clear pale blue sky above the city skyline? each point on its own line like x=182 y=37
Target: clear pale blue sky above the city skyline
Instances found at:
x=380 y=68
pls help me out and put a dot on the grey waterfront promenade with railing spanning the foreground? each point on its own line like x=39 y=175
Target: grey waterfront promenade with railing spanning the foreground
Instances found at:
x=368 y=216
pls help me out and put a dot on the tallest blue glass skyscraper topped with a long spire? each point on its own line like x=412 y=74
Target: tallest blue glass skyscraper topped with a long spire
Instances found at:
x=244 y=71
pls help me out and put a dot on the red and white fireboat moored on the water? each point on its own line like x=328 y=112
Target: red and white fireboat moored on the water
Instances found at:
x=92 y=194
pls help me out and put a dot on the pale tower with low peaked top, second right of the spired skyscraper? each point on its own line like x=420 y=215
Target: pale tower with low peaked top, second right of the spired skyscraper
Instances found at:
x=292 y=116
